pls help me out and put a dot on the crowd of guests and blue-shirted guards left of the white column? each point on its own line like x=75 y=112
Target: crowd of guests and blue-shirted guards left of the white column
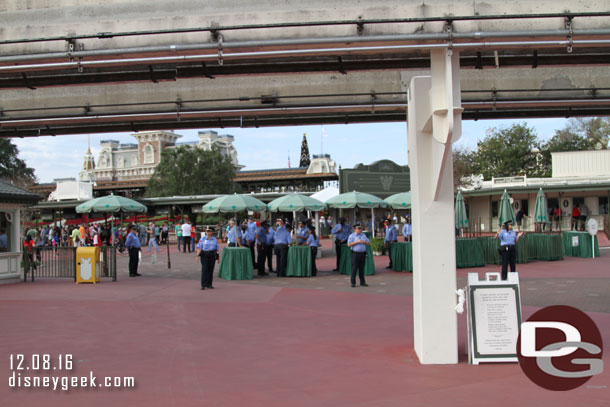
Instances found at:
x=263 y=239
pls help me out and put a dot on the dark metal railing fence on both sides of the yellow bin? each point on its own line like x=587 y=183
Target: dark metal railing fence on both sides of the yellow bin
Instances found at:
x=60 y=262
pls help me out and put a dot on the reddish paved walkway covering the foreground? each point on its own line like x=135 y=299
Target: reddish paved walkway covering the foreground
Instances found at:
x=275 y=341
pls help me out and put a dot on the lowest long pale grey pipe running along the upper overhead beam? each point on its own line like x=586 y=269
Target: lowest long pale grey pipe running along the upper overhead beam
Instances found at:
x=314 y=51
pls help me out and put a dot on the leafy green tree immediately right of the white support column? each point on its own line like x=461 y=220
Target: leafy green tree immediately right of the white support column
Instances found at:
x=508 y=151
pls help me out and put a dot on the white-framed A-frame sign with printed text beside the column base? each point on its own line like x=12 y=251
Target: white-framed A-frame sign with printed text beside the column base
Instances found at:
x=494 y=318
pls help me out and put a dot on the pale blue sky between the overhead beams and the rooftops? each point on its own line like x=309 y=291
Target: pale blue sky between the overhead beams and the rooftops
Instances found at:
x=270 y=147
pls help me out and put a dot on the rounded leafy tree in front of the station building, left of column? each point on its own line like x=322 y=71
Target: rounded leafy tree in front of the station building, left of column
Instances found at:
x=192 y=171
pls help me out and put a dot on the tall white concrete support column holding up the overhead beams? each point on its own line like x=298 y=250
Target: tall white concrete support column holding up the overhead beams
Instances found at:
x=434 y=122
